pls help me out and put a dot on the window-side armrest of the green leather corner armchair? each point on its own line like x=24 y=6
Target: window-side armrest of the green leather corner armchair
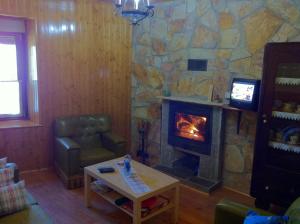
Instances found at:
x=67 y=155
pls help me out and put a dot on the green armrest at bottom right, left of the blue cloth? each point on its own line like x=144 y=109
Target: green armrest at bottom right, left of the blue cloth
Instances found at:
x=229 y=212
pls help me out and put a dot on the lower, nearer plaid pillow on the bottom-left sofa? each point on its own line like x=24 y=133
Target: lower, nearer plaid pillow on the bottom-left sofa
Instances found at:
x=12 y=198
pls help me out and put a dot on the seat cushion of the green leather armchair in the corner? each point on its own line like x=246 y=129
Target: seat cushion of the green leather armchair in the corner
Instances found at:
x=94 y=155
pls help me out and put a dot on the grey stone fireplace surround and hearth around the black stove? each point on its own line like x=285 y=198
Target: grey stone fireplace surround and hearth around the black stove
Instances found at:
x=175 y=160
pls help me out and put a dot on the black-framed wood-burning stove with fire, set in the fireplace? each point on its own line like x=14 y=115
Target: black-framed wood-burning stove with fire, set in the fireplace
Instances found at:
x=190 y=127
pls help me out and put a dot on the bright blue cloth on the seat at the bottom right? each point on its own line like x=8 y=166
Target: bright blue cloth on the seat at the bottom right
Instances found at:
x=254 y=218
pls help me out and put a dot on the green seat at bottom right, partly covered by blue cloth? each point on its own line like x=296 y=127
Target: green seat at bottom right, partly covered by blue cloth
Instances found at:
x=229 y=212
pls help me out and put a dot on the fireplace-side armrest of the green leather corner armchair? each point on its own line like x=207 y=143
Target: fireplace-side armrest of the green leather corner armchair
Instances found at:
x=114 y=143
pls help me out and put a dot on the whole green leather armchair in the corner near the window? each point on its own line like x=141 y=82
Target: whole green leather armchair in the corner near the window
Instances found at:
x=82 y=141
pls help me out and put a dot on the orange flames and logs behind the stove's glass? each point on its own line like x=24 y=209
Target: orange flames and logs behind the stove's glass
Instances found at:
x=191 y=126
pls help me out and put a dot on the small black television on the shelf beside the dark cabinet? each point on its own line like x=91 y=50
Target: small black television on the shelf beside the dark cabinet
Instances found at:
x=245 y=93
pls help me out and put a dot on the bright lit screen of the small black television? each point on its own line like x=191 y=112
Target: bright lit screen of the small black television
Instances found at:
x=242 y=91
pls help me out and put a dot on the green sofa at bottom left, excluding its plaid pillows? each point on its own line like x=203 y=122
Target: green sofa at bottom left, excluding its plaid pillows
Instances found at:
x=33 y=214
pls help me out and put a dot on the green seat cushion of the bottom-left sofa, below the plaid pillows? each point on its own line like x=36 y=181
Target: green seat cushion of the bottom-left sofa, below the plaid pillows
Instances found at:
x=31 y=215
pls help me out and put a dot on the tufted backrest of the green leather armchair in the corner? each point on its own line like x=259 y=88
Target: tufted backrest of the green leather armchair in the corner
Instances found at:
x=84 y=125
